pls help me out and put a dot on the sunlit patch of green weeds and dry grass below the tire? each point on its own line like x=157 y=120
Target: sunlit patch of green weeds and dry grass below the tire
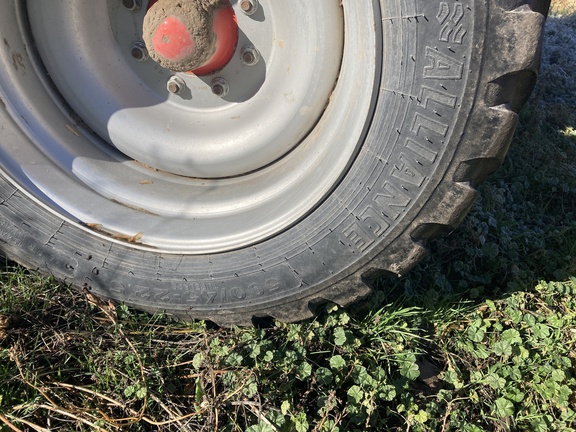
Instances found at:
x=73 y=361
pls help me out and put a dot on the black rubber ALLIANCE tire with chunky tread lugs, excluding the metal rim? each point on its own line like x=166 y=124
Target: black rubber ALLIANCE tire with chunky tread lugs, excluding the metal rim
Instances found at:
x=455 y=73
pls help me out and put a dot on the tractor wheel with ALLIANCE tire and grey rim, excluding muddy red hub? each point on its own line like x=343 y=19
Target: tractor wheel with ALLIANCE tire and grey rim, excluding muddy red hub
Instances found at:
x=356 y=133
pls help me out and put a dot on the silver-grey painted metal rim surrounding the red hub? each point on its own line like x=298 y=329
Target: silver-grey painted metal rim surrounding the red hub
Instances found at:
x=177 y=206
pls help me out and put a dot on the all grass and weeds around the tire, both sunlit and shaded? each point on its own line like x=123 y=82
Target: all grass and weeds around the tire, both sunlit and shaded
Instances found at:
x=480 y=336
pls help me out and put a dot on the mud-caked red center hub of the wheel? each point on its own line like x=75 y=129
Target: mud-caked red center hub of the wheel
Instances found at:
x=191 y=35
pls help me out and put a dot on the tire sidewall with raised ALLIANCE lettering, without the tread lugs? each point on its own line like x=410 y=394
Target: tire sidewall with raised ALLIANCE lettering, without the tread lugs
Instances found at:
x=432 y=54
